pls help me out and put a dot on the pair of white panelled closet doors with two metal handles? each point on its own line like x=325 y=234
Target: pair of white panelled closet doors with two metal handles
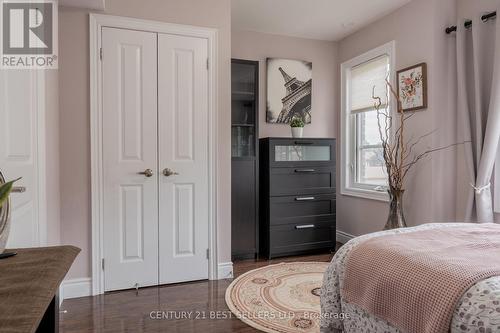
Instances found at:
x=155 y=153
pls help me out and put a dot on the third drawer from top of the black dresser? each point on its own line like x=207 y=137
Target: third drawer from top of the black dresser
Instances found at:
x=302 y=209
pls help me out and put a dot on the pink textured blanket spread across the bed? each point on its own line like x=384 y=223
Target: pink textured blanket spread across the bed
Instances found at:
x=414 y=280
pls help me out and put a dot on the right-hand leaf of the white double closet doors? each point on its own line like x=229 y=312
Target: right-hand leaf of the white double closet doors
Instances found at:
x=183 y=158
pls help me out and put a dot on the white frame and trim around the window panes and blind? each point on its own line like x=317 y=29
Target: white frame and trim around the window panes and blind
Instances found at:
x=348 y=169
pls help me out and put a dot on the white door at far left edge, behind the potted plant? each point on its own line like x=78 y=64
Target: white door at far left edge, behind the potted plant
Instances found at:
x=21 y=140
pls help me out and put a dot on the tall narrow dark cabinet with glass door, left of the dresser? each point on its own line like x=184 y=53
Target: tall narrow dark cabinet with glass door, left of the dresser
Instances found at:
x=245 y=157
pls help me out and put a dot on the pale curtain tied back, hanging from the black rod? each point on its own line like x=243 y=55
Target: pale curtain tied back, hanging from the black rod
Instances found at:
x=478 y=61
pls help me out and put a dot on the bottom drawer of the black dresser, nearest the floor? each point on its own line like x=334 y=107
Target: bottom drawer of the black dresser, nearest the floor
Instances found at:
x=287 y=239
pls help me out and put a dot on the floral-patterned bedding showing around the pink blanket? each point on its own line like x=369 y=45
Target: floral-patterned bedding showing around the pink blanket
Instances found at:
x=477 y=311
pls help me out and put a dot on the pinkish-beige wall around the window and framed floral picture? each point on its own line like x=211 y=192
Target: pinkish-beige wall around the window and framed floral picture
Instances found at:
x=418 y=29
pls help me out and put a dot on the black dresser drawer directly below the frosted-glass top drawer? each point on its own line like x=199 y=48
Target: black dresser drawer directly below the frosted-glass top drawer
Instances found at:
x=306 y=180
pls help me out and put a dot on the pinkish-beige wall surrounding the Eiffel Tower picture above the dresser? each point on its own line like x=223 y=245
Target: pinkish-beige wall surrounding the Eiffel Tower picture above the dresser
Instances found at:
x=323 y=55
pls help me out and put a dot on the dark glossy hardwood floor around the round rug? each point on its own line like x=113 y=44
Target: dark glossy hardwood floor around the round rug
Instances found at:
x=128 y=311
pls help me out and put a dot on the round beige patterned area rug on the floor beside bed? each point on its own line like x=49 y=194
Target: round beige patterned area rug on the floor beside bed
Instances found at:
x=280 y=298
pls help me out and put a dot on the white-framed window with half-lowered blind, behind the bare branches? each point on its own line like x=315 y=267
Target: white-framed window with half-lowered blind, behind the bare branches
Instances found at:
x=362 y=169
